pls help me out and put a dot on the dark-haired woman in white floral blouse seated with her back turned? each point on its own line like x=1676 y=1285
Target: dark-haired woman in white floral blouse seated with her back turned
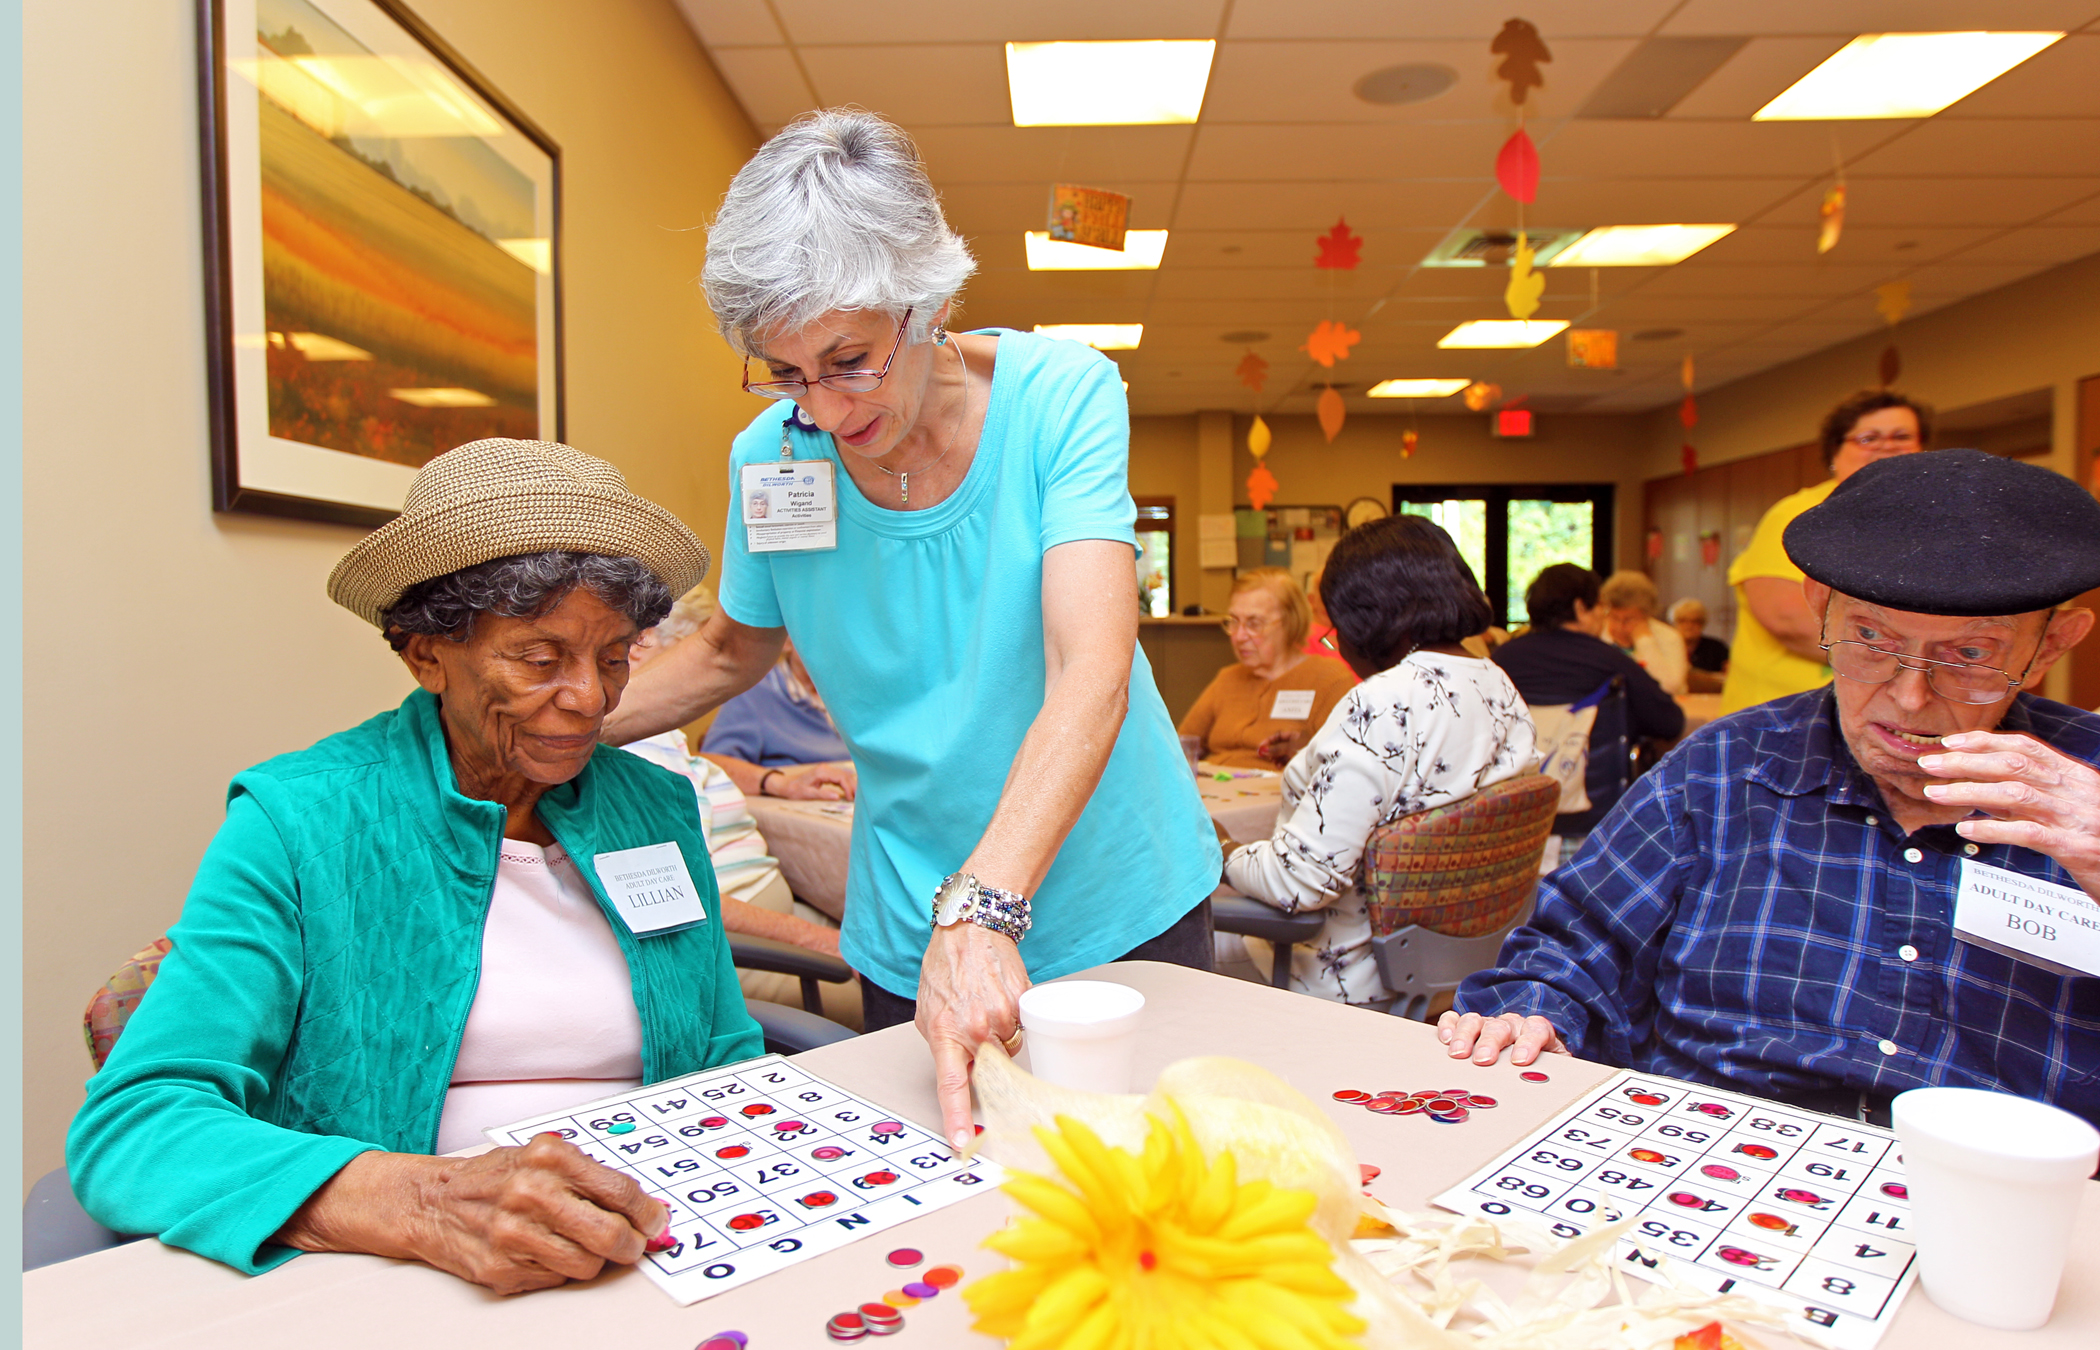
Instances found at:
x=1431 y=725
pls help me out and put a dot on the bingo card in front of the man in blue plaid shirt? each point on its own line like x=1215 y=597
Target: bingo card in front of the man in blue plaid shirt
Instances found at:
x=1729 y=1194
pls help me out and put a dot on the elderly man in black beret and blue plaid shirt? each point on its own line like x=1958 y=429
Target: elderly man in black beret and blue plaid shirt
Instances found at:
x=1773 y=906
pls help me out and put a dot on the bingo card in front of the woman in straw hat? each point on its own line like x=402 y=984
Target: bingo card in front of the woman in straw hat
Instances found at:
x=761 y=1166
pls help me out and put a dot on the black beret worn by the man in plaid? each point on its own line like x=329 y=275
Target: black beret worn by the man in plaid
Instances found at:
x=1952 y=532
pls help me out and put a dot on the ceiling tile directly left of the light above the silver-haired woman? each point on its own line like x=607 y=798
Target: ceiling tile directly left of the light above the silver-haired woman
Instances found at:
x=917 y=85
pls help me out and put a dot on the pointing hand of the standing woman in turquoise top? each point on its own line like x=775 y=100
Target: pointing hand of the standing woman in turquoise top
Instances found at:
x=971 y=988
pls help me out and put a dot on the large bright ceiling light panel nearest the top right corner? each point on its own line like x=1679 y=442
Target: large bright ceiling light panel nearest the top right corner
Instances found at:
x=1902 y=77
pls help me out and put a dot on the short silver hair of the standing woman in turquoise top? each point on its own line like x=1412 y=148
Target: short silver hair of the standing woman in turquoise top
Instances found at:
x=833 y=213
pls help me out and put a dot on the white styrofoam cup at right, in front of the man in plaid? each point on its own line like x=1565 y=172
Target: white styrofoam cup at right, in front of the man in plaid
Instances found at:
x=1996 y=1185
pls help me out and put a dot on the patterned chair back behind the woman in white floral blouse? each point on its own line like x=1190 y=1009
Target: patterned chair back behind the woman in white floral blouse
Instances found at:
x=1463 y=870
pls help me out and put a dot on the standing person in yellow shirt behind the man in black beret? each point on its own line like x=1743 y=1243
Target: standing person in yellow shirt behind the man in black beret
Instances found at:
x=1776 y=633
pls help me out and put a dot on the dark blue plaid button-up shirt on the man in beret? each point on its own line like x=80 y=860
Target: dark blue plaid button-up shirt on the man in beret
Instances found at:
x=1750 y=916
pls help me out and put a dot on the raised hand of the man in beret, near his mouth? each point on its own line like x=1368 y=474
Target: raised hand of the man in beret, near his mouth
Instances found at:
x=2036 y=799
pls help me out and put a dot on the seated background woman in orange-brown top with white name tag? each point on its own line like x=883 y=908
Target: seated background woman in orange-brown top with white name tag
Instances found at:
x=1267 y=704
